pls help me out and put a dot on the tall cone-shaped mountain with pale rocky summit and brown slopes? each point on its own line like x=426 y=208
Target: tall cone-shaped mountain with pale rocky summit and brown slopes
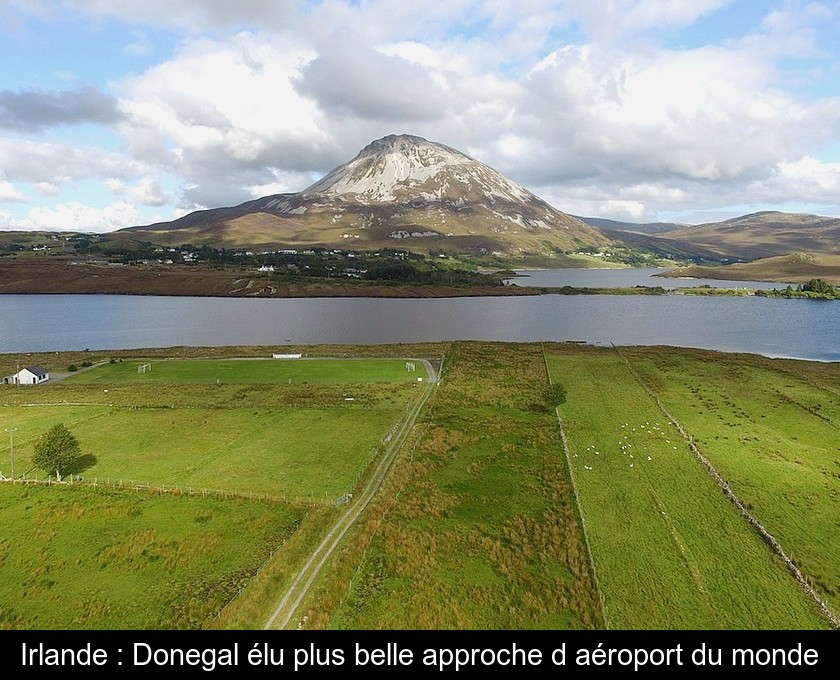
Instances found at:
x=400 y=191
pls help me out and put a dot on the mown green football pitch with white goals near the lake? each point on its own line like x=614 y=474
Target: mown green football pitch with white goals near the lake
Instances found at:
x=251 y=371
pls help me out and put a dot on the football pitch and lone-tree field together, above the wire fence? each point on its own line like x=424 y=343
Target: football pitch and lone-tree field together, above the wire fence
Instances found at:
x=298 y=440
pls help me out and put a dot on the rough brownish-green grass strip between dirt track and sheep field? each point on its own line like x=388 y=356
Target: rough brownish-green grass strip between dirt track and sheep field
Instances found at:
x=477 y=527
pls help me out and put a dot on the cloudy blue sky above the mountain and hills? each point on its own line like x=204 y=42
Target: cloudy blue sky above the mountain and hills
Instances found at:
x=123 y=113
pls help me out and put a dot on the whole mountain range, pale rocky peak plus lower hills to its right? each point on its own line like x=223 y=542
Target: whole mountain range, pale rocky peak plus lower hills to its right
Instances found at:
x=403 y=191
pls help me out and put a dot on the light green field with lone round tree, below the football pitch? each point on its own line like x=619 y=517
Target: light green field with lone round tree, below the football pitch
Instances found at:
x=293 y=452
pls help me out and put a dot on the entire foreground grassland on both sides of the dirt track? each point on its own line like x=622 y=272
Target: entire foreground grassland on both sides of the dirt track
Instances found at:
x=486 y=521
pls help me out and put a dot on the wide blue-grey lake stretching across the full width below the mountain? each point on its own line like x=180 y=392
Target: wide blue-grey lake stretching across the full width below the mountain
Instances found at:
x=807 y=329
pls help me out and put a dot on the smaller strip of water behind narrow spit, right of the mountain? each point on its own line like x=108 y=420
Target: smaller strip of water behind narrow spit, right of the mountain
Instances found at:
x=623 y=278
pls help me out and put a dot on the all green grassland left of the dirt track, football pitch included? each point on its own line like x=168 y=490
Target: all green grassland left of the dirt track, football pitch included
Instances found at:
x=85 y=556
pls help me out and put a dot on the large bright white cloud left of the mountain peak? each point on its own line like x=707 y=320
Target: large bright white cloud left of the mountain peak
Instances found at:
x=224 y=113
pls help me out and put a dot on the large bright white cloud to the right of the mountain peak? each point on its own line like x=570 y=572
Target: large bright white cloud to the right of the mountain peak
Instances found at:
x=708 y=114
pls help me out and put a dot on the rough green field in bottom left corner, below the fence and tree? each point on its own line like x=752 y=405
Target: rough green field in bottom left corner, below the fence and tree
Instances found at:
x=73 y=557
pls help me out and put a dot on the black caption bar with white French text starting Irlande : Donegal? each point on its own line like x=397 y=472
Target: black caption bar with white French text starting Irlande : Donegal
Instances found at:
x=220 y=652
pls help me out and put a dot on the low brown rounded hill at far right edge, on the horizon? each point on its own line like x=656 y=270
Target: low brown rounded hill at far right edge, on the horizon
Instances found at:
x=760 y=235
